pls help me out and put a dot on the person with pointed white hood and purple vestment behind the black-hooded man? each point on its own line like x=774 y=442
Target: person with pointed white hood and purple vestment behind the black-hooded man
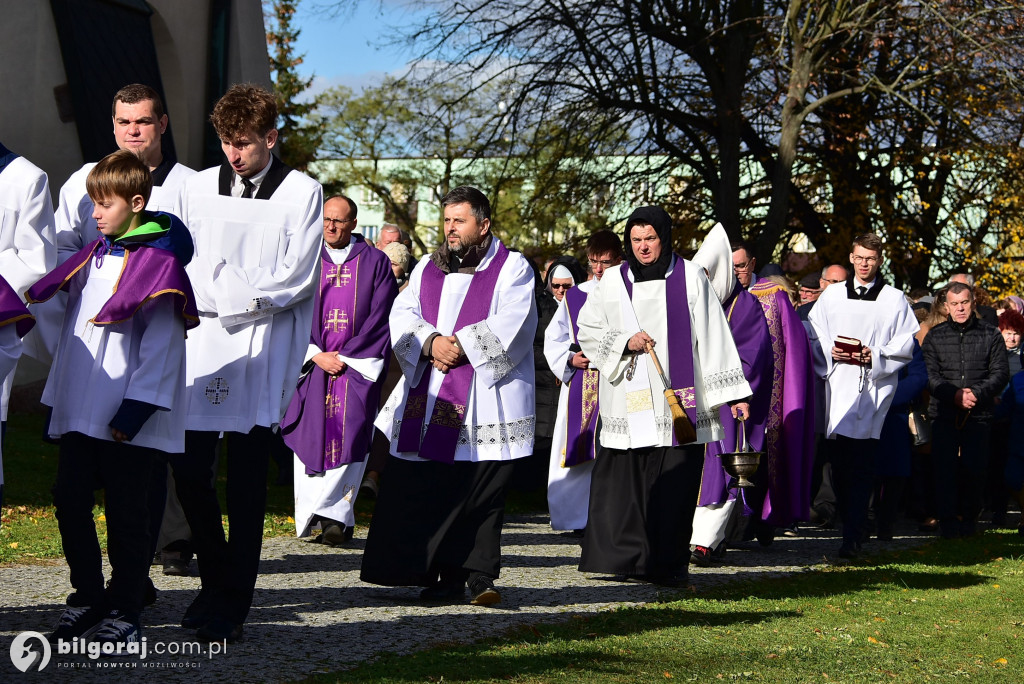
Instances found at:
x=750 y=331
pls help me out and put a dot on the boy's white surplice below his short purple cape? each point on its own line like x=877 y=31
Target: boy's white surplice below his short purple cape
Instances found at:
x=97 y=367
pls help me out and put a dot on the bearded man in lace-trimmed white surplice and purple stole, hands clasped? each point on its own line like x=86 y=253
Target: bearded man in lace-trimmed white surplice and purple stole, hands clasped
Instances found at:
x=463 y=334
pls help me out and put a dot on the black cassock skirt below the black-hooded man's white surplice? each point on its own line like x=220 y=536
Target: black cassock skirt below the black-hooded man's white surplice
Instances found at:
x=642 y=511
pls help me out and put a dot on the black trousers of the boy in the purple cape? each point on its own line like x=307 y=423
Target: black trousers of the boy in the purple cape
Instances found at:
x=87 y=464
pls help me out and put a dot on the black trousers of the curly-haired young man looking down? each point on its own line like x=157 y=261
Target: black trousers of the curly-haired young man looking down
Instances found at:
x=229 y=567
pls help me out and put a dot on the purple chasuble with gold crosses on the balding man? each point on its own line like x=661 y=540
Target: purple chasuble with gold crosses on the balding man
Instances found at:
x=329 y=422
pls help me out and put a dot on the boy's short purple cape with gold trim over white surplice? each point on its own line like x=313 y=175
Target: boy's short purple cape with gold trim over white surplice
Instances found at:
x=148 y=273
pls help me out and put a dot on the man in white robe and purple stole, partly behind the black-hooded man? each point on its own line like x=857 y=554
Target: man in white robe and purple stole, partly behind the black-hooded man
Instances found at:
x=575 y=447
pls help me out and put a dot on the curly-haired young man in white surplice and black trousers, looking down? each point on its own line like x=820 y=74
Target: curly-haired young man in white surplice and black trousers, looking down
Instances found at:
x=258 y=226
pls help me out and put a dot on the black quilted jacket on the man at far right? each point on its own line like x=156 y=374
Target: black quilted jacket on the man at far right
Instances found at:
x=970 y=356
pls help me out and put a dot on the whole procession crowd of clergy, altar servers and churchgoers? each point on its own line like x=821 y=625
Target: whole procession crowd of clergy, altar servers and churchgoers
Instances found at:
x=233 y=314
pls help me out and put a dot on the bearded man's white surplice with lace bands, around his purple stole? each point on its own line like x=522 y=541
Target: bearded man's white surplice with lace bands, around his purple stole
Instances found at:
x=500 y=419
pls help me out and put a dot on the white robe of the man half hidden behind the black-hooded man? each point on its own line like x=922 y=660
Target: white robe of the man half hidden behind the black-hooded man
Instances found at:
x=569 y=489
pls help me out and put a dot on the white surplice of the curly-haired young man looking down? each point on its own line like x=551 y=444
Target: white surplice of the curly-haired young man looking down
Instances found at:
x=253 y=275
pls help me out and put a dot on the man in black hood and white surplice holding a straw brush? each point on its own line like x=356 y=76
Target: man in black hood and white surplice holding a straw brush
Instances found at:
x=646 y=484
